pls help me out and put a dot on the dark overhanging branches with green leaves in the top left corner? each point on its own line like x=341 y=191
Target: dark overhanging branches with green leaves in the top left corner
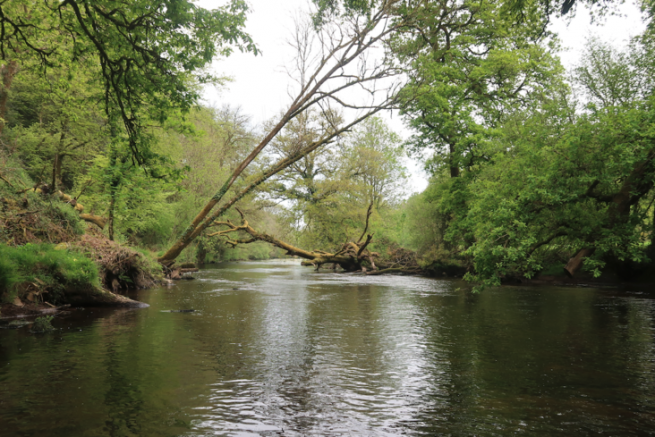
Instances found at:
x=147 y=56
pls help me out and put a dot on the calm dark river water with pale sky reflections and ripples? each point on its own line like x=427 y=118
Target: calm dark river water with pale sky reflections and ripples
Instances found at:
x=274 y=348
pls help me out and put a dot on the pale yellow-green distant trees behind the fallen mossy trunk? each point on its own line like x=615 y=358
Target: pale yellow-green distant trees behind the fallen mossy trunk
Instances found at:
x=327 y=193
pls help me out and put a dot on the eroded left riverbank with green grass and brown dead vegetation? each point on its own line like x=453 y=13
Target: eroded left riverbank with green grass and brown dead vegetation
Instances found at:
x=42 y=278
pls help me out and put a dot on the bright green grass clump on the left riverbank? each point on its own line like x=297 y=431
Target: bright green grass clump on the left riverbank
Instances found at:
x=40 y=271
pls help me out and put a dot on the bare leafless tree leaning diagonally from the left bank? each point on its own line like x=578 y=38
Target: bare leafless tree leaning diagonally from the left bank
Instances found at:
x=333 y=69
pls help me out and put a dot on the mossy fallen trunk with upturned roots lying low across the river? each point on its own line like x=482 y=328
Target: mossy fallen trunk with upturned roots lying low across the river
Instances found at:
x=352 y=256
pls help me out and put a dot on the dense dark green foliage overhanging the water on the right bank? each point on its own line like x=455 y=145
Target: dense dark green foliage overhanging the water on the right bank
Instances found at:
x=560 y=194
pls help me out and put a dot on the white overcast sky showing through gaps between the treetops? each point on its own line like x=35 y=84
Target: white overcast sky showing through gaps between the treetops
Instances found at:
x=260 y=84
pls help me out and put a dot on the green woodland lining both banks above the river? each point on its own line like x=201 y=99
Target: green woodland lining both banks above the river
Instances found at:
x=114 y=173
